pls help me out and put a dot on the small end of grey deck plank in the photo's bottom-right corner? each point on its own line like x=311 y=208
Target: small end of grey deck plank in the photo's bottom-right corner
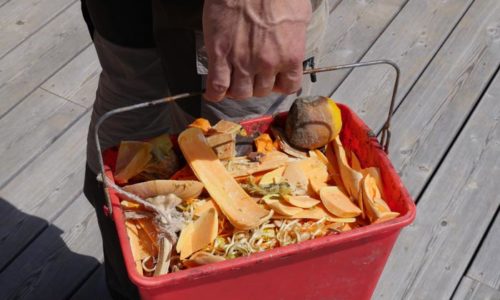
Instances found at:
x=471 y=289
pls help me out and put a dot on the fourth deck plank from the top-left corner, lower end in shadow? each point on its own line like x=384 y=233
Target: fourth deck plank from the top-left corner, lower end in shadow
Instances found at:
x=43 y=189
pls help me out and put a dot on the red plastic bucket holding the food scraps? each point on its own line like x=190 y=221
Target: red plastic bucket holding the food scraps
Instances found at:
x=343 y=266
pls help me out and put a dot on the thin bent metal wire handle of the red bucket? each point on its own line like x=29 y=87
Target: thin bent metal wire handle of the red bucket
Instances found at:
x=384 y=139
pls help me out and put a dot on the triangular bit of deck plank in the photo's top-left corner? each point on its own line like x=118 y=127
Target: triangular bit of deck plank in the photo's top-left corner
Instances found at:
x=21 y=18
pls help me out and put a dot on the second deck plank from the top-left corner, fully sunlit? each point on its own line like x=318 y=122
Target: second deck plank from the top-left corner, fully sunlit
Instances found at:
x=39 y=56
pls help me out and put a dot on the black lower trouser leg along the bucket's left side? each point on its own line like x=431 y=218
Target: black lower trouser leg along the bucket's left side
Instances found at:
x=119 y=285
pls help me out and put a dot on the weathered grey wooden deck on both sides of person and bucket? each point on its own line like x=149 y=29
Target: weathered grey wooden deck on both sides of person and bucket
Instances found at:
x=445 y=144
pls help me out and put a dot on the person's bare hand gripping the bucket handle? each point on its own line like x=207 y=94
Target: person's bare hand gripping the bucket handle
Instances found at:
x=254 y=46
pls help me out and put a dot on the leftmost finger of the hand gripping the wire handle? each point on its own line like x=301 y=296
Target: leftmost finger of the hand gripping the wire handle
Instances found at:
x=218 y=81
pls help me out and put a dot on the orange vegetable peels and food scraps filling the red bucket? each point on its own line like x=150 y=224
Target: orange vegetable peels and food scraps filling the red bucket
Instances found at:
x=238 y=194
